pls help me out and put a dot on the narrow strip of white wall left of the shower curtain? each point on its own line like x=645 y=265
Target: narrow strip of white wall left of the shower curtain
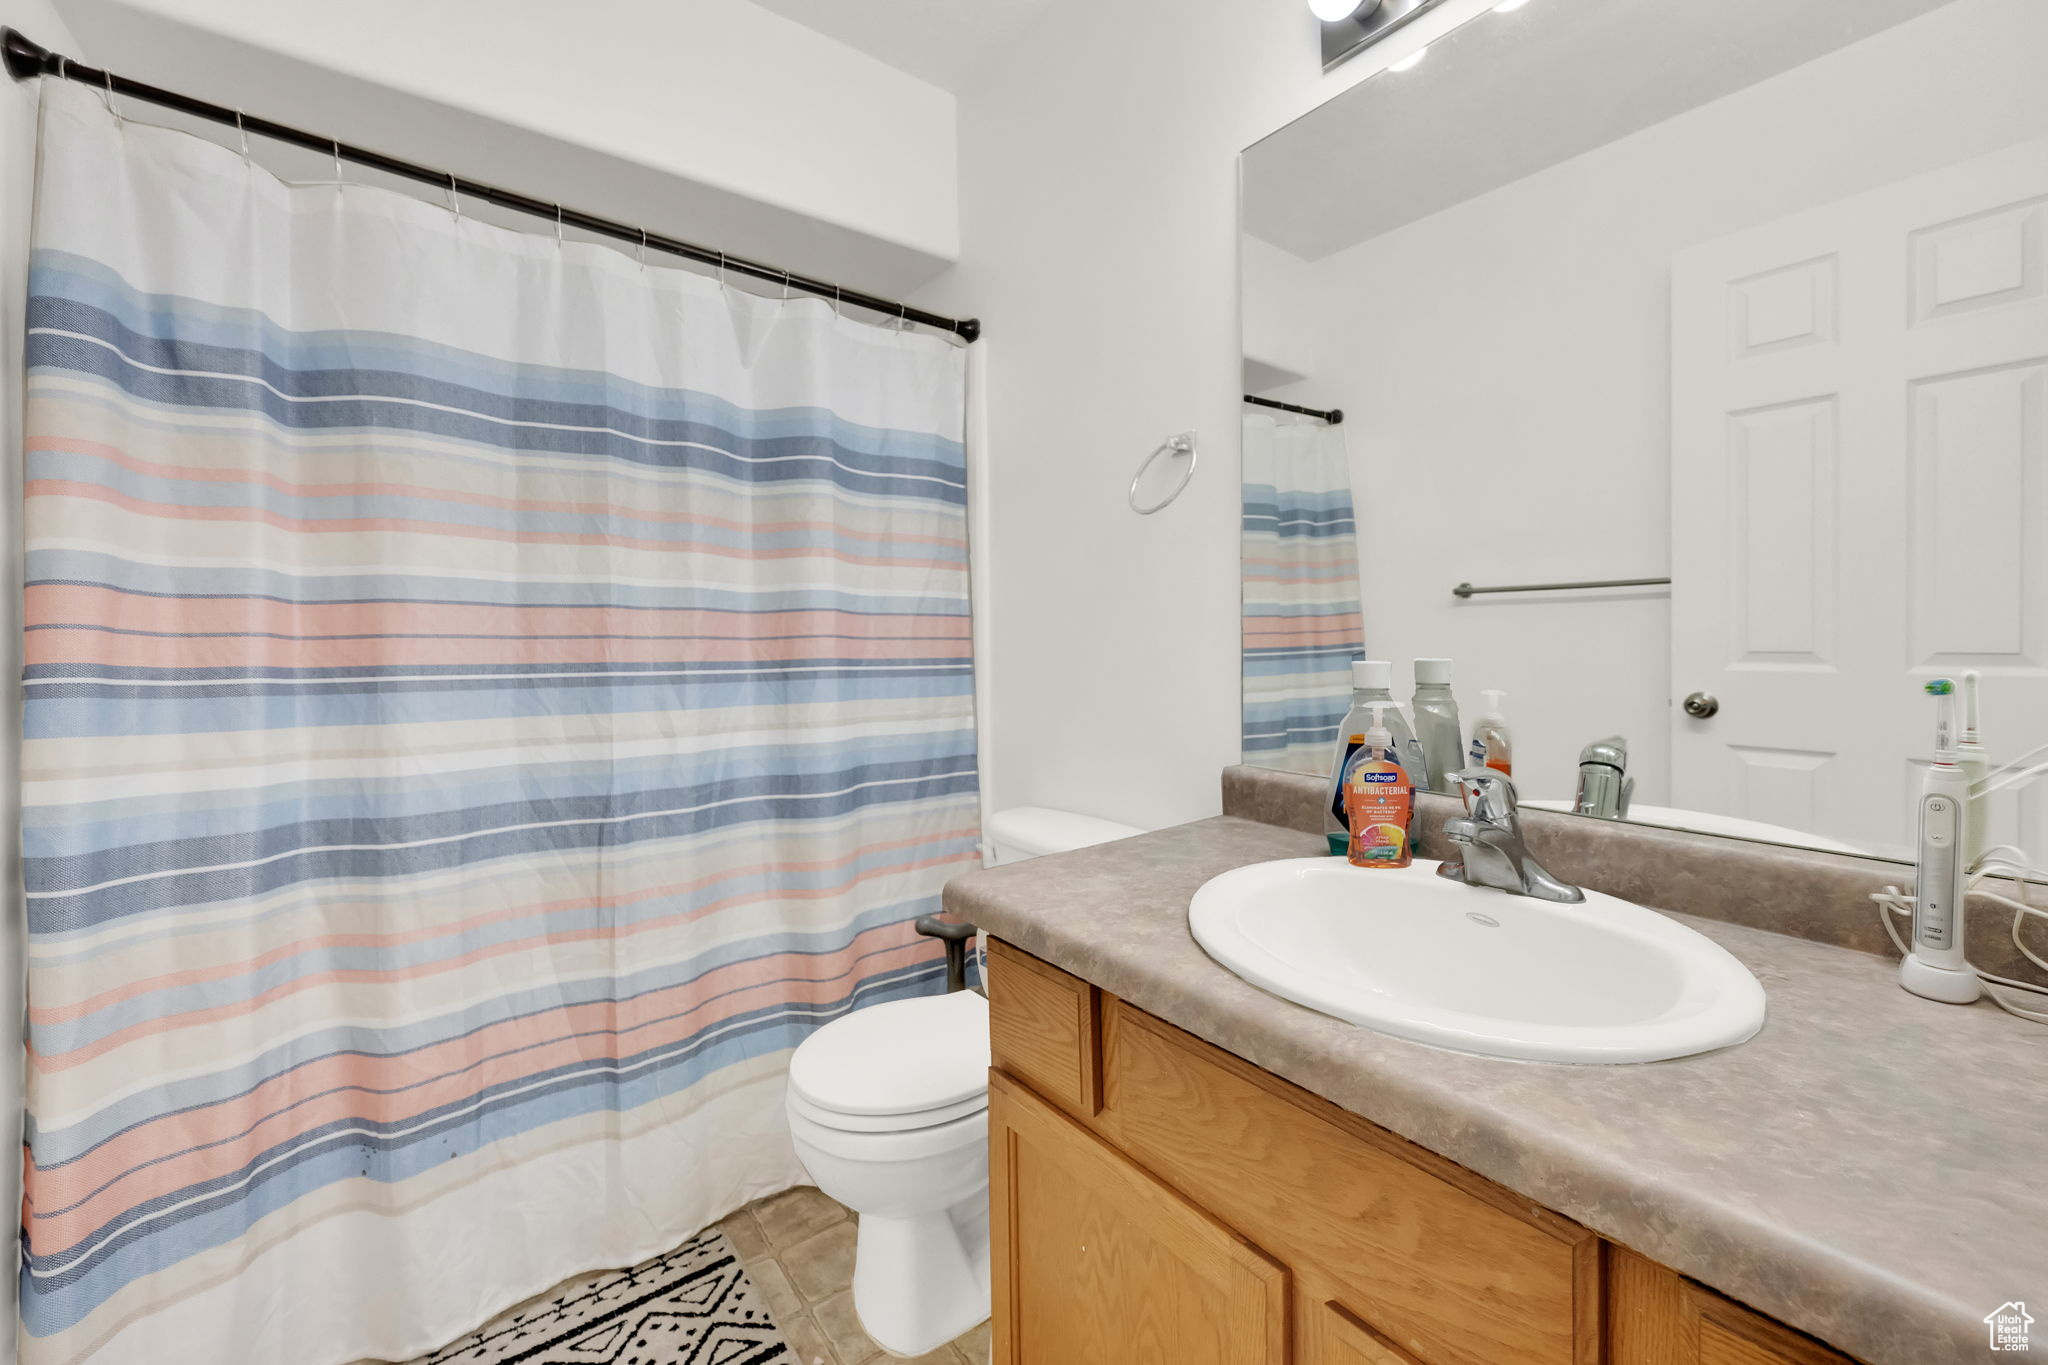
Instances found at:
x=17 y=185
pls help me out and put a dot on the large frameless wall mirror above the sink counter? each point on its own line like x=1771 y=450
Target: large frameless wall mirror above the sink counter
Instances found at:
x=1693 y=365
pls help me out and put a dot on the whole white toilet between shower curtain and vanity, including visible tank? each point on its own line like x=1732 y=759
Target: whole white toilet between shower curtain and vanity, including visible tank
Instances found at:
x=890 y=1114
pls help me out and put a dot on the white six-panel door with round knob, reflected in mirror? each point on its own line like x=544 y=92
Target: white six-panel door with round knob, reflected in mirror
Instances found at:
x=1861 y=498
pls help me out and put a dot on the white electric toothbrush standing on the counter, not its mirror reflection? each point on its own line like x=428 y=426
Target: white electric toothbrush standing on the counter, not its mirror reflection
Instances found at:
x=1936 y=967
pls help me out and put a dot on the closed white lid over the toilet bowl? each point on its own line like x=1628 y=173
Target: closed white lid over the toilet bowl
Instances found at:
x=900 y=1057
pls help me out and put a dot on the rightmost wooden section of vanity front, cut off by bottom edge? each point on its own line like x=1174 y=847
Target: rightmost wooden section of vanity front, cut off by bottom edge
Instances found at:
x=1656 y=1317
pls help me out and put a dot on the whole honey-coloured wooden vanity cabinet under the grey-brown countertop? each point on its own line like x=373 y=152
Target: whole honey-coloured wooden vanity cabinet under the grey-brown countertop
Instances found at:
x=1162 y=1202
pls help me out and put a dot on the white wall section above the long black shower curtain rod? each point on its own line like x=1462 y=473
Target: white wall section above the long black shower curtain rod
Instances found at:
x=710 y=120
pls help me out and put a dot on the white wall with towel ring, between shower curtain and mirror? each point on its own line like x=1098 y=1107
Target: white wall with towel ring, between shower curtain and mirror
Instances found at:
x=1099 y=240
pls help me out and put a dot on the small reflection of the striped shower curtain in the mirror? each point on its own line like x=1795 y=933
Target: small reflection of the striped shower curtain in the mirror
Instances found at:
x=1302 y=619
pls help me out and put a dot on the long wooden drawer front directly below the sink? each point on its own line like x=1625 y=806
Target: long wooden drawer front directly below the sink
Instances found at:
x=1439 y=1266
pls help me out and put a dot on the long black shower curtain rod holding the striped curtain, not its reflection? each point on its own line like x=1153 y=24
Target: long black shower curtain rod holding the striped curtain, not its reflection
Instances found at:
x=28 y=58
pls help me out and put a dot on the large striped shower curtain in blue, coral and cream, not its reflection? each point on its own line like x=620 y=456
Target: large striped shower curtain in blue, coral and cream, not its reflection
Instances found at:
x=486 y=703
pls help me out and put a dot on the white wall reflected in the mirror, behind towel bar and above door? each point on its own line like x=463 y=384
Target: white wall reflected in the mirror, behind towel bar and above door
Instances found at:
x=1506 y=365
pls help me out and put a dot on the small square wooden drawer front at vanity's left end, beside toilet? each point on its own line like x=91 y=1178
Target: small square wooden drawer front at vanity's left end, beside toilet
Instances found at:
x=1046 y=1028
